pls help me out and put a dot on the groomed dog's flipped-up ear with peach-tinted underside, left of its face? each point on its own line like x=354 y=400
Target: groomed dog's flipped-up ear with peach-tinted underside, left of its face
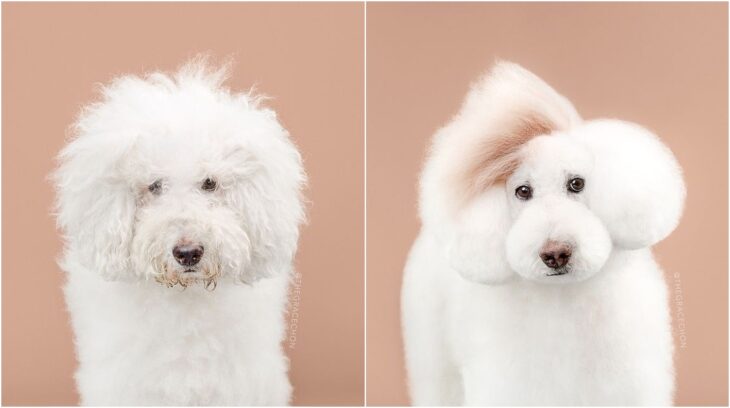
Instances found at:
x=462 y=192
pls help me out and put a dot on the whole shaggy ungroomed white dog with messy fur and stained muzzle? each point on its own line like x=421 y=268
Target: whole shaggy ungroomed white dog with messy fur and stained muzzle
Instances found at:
x=180 y=203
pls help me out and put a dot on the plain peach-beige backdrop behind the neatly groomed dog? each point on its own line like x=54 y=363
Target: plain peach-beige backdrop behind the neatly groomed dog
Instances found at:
x=661 y=65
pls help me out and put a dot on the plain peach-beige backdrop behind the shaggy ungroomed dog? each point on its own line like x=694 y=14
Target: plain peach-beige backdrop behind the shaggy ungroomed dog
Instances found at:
x=309 y=57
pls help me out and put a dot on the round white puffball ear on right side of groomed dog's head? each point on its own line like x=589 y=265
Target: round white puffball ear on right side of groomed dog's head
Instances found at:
x=636 y=187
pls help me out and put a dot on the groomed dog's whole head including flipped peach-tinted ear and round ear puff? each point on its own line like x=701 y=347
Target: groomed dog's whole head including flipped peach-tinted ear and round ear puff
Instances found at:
x=518 y=185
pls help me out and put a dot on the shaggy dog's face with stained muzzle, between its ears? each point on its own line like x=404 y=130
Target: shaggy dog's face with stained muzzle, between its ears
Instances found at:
x=189 y=224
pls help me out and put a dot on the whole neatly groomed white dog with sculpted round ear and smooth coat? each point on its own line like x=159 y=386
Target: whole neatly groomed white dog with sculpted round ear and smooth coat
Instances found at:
x=532 y=281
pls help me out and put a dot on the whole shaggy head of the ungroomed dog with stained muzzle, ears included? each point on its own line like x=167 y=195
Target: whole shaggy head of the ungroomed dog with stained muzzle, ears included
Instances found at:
x=176 y=178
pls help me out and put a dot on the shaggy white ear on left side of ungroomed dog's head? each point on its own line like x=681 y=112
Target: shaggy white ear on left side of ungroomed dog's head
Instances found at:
x=95 y=205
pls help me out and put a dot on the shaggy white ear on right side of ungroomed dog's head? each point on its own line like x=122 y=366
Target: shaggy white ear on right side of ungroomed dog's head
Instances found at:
x=268 y=198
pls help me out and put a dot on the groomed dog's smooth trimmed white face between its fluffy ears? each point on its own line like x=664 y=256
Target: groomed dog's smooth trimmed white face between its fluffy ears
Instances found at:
x=554 y=237
